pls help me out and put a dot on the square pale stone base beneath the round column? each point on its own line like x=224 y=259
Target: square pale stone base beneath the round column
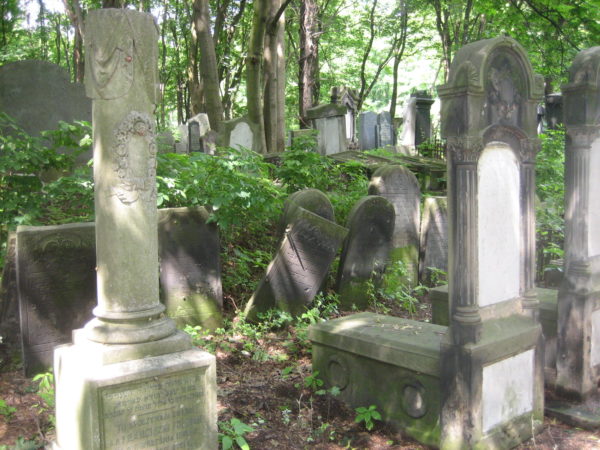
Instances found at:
x=164 y=401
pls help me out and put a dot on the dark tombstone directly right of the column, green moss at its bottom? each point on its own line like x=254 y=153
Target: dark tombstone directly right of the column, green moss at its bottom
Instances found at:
x=190 y=270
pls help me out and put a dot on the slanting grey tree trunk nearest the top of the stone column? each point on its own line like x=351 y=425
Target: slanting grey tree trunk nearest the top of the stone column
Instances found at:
x=208 y=64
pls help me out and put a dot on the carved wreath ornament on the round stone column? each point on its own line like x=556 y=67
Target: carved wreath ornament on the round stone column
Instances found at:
x=135 y=166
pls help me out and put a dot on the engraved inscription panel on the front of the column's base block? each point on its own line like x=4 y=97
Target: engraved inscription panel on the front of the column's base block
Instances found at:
x=160 y=412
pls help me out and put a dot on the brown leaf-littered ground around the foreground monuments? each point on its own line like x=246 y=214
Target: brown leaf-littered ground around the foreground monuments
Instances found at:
x=264 y=385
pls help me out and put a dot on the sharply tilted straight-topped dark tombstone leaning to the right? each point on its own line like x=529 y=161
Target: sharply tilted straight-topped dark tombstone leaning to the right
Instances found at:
x=300 y=266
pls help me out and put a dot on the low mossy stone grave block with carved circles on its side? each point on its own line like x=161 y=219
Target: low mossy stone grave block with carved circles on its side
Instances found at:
x=385 y=361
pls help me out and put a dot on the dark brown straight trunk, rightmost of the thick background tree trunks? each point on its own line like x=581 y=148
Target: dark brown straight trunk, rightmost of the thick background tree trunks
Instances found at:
x=308 y=63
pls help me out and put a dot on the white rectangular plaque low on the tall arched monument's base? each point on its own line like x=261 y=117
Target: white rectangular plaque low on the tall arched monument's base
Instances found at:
x=507 y=389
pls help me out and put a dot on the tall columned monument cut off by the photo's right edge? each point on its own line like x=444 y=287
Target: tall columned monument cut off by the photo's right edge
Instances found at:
x=578 y=334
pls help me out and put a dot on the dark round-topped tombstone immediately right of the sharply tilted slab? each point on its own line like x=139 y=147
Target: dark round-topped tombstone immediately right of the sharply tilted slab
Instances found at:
x=365 y=251
